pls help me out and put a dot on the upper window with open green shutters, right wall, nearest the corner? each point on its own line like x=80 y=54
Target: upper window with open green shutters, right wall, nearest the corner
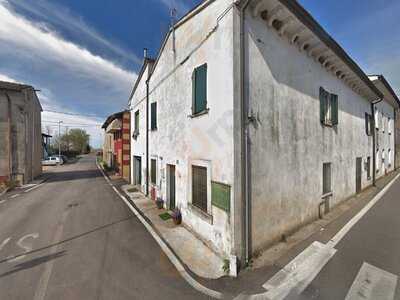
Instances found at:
x=328 y=108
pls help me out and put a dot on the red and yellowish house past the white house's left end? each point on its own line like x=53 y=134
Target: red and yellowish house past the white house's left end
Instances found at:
x=116 y=148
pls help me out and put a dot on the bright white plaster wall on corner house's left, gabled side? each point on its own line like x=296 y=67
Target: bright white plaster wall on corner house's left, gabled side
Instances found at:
x=179 y=139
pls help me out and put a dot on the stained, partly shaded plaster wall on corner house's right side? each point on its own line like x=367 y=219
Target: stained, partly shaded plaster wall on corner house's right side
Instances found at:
x=288 y=143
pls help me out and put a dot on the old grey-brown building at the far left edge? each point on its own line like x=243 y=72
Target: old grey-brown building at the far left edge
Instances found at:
x=21 y=148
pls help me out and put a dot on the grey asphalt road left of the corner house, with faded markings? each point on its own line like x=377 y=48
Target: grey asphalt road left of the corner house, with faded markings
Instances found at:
x=73 y=238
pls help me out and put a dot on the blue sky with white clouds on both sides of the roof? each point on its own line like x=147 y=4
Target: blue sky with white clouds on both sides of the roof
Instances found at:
x=84 y=56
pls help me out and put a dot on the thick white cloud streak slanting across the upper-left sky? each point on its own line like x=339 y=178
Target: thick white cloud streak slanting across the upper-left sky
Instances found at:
x=33 y=41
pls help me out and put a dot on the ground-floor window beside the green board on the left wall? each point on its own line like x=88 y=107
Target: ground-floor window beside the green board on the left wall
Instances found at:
x=199 y=187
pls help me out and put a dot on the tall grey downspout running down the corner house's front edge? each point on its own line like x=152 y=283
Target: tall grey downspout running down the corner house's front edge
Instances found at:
x=244 y=139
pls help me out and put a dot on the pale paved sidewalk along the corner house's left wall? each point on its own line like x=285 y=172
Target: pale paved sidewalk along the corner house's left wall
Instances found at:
x=200 y=259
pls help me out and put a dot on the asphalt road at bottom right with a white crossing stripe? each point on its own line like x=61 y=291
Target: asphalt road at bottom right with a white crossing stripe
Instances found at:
x=373 y=241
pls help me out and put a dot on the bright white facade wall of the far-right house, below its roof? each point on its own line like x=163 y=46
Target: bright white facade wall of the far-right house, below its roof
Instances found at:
x=386 y=138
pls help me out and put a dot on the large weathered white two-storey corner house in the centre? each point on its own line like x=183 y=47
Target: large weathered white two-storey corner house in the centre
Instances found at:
x=251 y=120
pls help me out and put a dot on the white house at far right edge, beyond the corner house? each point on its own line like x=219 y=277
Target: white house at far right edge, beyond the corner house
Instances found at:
x=385 y=131
